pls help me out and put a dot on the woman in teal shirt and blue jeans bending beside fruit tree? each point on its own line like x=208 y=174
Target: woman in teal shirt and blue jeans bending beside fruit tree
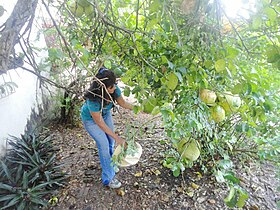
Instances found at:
x=97 y=120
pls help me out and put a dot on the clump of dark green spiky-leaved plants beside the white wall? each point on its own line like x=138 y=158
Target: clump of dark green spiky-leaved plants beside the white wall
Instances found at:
x=29 y=173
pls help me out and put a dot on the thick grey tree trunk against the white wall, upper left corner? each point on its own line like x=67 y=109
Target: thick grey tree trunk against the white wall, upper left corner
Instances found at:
x=10 y=33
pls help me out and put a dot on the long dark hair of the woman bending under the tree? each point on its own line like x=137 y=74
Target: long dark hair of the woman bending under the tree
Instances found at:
x=94 y=93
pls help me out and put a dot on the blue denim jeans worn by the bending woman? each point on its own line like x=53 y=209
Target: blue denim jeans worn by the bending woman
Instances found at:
x=105 y=145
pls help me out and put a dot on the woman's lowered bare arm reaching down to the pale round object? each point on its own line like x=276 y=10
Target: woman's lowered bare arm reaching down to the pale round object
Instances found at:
x=100 y=122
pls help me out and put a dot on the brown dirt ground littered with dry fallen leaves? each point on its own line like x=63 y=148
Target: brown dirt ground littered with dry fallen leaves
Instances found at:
x=148 y=185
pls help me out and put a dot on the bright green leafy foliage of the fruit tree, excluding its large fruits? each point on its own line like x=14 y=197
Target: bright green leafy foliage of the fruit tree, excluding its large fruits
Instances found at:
x=167 y=53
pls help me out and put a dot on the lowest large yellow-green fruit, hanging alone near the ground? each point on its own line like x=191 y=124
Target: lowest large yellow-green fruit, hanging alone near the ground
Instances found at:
x=189 y=149
